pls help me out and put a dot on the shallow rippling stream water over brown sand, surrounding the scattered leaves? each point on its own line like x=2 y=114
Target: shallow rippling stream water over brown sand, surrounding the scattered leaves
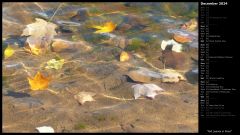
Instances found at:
x=92 y=64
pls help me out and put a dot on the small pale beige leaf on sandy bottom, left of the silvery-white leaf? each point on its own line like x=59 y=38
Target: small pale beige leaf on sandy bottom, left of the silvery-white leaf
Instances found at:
x=83 y=97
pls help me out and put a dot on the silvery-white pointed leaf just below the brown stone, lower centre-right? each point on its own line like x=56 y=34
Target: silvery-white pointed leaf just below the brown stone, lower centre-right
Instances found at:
x=148 y=90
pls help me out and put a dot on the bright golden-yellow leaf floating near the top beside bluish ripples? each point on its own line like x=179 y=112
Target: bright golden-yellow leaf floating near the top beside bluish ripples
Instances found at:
x=107 y=27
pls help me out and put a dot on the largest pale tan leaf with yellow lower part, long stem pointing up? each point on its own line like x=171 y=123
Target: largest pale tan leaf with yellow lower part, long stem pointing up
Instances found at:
x=40 y=35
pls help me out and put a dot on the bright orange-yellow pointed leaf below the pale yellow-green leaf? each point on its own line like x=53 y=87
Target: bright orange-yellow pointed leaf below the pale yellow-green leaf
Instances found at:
x=39 y=82
